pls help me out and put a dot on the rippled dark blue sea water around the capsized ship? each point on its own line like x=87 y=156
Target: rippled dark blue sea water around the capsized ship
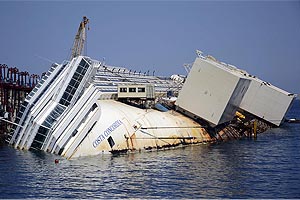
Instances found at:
x=266 y=168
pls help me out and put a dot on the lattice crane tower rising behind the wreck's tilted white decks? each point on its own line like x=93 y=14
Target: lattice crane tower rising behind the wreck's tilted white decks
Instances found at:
x=80 y=38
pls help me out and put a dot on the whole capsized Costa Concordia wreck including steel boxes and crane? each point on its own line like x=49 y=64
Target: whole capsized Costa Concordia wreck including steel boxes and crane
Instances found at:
x=84 y=107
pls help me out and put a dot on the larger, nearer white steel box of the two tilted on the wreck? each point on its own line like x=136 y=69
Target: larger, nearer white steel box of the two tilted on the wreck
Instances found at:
x=212 y=92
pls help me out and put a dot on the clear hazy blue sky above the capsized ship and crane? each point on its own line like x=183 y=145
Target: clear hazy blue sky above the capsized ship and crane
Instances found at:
x=261 y=37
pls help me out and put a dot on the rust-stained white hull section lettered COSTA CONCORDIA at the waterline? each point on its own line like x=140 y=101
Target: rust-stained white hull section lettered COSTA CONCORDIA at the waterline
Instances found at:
x=121 y=127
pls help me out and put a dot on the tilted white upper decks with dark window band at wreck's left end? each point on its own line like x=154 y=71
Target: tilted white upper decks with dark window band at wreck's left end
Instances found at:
x=57 y=92
